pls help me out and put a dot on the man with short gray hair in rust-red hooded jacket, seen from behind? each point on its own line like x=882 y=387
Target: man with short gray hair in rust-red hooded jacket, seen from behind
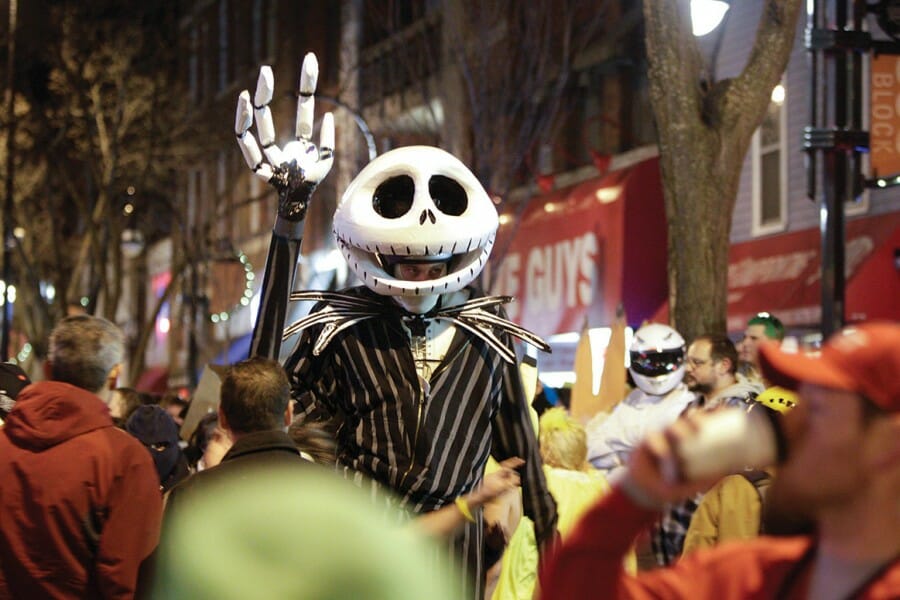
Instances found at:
x=80 y=506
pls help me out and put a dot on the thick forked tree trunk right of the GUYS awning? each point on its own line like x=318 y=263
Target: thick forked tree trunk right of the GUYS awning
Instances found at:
x=705 y=128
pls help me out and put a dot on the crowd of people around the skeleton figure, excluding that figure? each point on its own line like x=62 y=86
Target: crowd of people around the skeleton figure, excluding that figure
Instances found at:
x=101 y=497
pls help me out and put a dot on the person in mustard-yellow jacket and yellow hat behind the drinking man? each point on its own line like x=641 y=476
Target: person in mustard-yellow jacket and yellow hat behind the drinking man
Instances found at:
x=732 y=508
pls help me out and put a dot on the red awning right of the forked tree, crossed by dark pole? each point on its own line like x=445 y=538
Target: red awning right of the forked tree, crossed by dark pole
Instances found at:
x=781 y=274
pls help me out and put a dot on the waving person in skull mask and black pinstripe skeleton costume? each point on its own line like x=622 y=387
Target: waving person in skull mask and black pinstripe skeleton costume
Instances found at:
x=415 y=368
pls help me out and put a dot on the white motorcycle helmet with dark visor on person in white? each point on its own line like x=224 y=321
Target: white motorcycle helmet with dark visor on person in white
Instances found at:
x=657 y=358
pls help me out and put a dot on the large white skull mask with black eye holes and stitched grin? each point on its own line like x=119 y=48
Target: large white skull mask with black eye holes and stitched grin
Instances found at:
x=417 y=204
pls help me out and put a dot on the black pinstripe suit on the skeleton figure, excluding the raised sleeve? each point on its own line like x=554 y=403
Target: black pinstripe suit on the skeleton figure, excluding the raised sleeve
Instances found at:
x=428 y=447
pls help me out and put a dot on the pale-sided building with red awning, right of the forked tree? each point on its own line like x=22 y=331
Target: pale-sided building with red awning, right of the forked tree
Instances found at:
x=775 y=262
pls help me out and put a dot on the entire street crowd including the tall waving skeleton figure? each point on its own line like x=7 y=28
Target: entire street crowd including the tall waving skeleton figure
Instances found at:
x=401 y=450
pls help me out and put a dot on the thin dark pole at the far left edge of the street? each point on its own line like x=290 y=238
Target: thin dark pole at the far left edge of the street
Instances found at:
x=8 y=207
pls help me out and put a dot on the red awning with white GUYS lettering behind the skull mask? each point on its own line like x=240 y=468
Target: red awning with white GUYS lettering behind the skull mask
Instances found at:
x=579 y=251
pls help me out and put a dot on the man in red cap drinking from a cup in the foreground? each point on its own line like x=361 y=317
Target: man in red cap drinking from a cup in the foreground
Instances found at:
x=842 y=470
